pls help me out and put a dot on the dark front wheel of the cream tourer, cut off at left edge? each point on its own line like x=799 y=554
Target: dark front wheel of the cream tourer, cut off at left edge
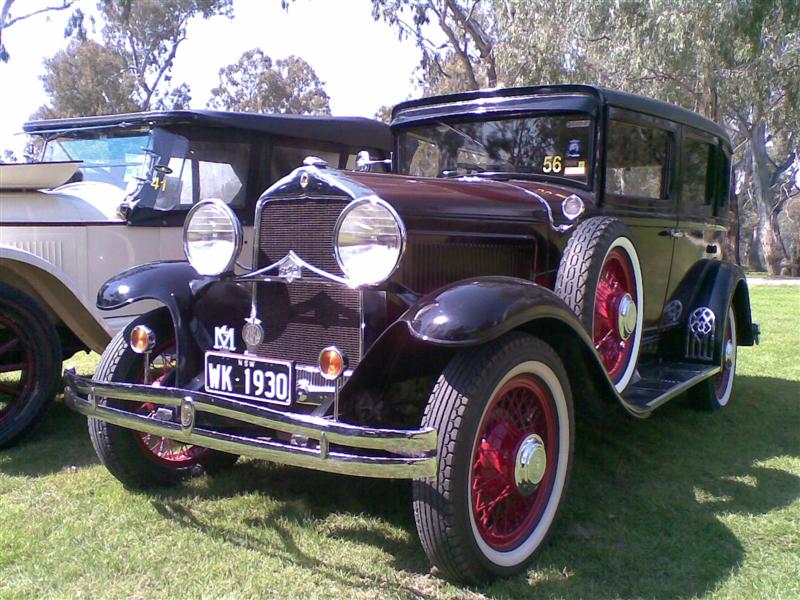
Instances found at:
x=30 y=364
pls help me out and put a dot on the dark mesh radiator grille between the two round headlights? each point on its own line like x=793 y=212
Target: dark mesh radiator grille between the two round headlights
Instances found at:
x=303 y=317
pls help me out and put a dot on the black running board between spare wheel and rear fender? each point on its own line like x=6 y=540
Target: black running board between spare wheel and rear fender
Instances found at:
x=663 y=382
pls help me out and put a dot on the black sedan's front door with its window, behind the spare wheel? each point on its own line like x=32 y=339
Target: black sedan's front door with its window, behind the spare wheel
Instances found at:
x=639 y=189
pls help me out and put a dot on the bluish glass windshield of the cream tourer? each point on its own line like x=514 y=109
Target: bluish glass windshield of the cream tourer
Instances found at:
x=119 y=158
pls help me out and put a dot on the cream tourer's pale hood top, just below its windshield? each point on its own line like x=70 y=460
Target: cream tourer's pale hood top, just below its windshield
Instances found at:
x=85 y=203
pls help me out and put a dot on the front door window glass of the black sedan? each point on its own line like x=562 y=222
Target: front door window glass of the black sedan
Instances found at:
x=636 y=160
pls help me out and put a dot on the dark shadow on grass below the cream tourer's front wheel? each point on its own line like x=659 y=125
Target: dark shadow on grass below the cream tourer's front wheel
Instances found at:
x=59 y=443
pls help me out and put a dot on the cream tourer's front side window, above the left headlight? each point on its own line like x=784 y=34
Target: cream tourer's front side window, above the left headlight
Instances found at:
x=208 y=170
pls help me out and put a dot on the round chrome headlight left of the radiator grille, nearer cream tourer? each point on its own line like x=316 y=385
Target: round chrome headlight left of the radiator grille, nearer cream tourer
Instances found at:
x=212 y=237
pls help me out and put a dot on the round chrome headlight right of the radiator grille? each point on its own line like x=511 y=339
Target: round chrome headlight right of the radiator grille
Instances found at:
x=369 y=241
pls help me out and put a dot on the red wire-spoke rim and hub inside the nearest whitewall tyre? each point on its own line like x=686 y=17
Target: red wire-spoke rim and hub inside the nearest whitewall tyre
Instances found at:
x=511 y=476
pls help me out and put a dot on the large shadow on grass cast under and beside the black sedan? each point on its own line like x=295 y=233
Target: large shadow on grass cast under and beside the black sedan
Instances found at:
x=642 y=517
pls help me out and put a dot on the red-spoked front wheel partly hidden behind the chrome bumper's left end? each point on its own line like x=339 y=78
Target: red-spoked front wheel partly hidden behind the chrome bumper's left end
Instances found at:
x=140 y=459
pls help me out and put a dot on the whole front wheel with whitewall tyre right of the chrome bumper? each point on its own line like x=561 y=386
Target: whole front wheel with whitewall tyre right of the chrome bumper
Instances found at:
x=503 y=413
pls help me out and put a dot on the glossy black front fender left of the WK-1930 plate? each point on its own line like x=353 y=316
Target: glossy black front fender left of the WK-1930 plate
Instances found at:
x=173 y=284
